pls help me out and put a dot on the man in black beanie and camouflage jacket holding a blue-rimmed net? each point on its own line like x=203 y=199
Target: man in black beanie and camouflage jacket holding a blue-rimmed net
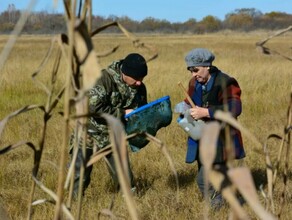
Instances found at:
x=117 y=92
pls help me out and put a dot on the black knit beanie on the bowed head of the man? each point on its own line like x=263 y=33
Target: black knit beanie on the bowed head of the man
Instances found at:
x=134 y=65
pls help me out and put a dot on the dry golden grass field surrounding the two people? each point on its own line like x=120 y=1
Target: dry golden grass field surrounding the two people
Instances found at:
x=266 y=88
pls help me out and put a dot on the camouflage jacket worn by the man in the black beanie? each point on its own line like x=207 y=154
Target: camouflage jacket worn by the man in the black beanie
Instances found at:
x=113 y=96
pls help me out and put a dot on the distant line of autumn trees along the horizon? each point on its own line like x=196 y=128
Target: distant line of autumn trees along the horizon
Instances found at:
x=245 y=19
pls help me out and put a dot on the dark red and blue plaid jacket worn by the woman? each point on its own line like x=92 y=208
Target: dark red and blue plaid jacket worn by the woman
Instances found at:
x=220 y=87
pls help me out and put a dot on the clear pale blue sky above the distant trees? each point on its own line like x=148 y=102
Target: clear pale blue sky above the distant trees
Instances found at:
x=171 y=10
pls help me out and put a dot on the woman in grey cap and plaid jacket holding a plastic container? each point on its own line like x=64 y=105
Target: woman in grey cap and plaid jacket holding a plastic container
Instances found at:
x=211 y=90
